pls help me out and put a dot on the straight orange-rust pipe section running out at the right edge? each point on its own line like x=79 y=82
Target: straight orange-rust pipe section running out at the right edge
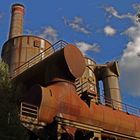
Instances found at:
x=115 y=121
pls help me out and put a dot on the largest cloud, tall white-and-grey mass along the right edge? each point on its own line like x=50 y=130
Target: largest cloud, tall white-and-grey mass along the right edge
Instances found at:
x=130 y=62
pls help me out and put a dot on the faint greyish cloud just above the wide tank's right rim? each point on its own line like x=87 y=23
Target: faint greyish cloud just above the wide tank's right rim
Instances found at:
x=49 y=33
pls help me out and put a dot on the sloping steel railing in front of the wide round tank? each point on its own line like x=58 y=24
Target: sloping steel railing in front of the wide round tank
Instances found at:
x=39 y=57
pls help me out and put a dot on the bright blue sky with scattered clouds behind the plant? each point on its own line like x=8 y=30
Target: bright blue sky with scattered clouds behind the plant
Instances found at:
x=104 y=30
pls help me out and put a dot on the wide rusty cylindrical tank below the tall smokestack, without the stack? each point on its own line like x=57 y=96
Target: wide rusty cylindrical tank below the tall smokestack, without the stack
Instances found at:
x=18 y=50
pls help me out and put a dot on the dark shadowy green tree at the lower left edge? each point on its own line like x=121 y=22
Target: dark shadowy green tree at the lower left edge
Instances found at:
x=10 y=126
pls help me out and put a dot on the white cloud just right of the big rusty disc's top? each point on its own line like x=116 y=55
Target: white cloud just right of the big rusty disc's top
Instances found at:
x=84 y=47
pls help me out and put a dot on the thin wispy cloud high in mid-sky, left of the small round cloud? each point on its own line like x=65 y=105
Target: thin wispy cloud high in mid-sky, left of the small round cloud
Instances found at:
x=77 y=24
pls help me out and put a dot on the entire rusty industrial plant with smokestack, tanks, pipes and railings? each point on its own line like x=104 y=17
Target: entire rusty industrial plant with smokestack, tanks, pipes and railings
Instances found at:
x=62 y=99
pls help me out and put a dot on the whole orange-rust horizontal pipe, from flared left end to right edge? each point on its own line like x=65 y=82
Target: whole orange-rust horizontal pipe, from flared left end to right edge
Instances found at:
x=60 y=99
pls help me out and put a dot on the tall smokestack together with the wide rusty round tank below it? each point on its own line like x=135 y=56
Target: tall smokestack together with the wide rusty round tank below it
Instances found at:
x=19 y=48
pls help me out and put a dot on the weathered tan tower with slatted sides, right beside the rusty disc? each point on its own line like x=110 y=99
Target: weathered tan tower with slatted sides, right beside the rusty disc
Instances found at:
x=88 y=80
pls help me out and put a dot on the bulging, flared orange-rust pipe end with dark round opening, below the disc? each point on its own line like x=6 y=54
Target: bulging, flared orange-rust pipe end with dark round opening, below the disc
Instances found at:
x=60 y=99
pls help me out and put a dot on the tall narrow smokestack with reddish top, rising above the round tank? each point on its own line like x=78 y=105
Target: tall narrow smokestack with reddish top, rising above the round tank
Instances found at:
x=16 y=26
